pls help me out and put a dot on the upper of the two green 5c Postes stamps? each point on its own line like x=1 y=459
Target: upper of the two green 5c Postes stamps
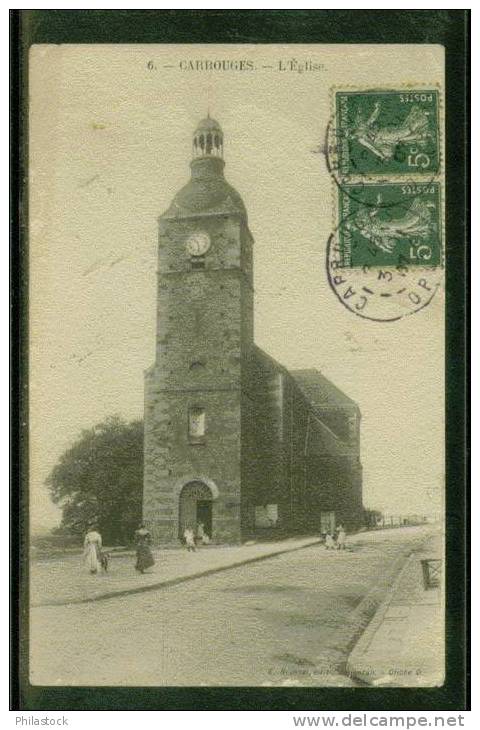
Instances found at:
x=387 y=132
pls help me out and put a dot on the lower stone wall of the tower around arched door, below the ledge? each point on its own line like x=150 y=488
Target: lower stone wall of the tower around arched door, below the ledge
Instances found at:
x=171 y=460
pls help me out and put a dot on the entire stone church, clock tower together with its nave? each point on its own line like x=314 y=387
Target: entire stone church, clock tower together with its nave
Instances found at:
x=234 y=441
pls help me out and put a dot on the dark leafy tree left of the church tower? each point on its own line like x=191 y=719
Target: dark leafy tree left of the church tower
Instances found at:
x=99 y=479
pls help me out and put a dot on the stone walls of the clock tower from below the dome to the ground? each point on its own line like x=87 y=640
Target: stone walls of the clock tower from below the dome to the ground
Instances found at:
x=204 y=326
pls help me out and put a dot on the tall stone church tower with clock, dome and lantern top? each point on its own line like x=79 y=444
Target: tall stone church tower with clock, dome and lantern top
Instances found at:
x=204 y=336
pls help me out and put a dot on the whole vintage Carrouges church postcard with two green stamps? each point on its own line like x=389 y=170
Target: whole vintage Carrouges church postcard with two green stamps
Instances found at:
x=237 y=357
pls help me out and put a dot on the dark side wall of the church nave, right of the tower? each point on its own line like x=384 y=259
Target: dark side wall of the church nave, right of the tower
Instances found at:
x=290 y=457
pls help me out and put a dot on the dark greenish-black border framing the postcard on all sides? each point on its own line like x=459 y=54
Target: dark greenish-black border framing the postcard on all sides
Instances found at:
x=449 y=28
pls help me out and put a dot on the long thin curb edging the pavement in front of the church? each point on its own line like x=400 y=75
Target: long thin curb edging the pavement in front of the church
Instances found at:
x=176 y=581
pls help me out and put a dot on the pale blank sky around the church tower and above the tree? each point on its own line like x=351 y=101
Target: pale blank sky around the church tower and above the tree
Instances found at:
x=110 y=145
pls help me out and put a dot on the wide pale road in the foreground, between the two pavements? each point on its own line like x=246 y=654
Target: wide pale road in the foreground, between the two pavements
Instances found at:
x=289 y=620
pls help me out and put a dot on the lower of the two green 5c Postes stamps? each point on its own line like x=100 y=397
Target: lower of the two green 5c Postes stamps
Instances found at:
x=390 y=224
